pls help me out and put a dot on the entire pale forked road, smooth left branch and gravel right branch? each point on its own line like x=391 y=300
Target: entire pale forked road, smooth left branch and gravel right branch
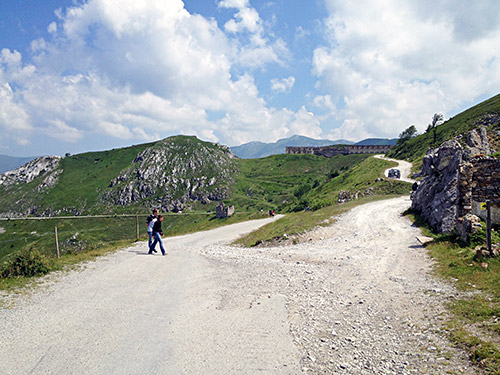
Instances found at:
x=356 y=298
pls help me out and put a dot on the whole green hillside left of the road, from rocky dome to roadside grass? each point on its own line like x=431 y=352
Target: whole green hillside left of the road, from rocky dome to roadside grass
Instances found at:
x=126 y=183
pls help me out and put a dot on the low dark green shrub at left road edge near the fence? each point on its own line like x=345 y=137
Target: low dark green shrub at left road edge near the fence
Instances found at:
x=26 y=263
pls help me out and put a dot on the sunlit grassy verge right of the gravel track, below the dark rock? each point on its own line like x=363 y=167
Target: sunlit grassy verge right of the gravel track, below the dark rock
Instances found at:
x=474 y=324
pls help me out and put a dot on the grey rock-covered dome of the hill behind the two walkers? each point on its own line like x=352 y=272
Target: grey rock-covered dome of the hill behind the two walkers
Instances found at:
x=174 y=173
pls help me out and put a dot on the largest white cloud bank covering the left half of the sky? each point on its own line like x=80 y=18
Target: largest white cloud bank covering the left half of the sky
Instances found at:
x=144 y=70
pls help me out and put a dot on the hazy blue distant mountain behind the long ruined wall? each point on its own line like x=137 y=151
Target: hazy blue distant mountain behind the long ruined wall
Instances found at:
x=254 y=150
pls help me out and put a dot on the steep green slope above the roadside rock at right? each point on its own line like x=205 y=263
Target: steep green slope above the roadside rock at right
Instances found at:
x=486 y=113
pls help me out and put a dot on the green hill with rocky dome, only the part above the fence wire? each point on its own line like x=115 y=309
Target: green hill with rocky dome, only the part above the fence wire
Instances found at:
x=182 y=169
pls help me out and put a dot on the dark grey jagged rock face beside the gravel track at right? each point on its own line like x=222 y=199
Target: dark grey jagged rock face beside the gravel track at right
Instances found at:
x=437 y=197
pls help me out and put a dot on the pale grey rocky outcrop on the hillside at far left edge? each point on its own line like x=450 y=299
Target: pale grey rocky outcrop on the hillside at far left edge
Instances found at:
x=43 y=166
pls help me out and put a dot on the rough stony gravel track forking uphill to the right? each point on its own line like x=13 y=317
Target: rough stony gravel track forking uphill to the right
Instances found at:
x=361 y=301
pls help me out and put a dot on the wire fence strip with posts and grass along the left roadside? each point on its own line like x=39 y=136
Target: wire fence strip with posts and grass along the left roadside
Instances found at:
x=59 y=235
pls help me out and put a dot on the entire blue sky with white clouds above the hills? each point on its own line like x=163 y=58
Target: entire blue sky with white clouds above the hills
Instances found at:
x=87 y=75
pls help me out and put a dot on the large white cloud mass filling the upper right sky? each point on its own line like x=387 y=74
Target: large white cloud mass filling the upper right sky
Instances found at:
x=392 y=64
